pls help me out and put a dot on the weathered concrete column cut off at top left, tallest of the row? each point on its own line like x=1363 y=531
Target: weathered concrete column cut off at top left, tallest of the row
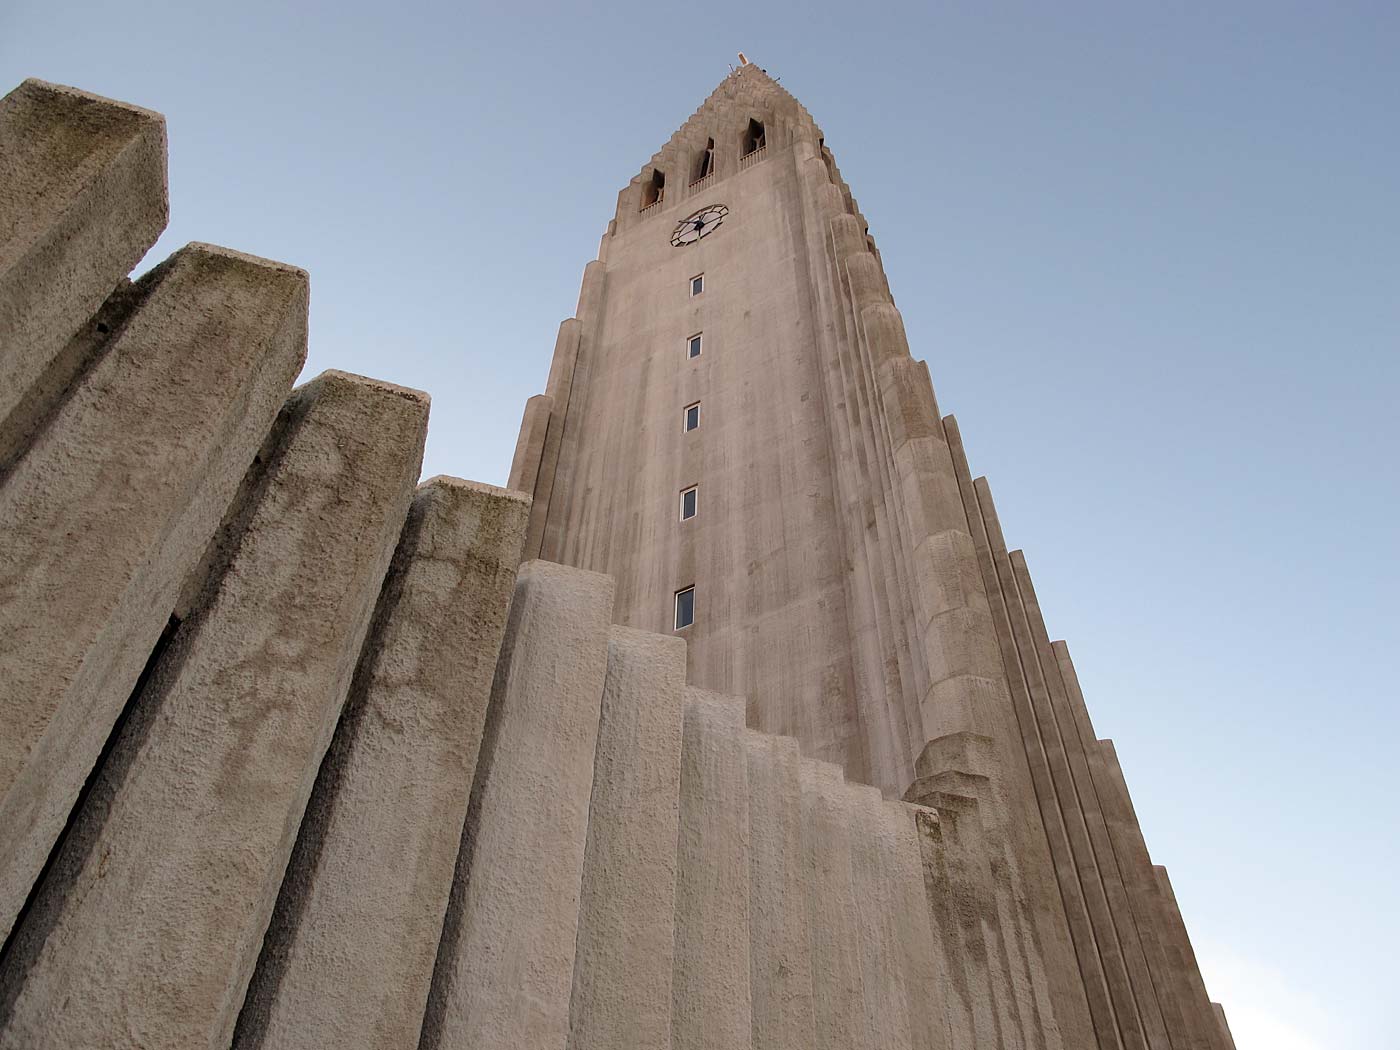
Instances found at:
x=82 y=199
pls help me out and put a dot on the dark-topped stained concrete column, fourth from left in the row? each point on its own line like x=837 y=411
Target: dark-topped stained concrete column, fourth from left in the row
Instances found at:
x=349 y=954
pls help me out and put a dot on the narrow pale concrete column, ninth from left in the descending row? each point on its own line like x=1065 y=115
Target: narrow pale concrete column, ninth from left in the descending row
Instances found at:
x=834 y=923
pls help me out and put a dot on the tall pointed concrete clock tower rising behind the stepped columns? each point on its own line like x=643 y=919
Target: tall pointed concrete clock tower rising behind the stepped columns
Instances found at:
x=736 y=430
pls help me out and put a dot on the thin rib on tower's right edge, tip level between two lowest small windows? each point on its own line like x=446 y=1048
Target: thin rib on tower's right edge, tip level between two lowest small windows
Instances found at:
x=1102 y=863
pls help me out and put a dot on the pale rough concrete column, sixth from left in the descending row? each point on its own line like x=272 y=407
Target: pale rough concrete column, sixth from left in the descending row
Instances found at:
x=626 y=934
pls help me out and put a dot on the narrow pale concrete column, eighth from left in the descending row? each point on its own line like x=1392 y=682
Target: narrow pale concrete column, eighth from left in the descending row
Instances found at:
x=780 y=954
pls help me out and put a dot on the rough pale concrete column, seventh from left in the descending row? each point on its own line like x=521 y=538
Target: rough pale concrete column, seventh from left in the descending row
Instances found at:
x=710 y=996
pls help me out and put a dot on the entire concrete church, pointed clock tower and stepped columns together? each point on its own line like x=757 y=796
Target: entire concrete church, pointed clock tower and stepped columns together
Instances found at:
x=733 y=723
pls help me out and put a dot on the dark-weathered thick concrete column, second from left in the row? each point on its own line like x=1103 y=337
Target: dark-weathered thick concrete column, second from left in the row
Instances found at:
x=111 y=509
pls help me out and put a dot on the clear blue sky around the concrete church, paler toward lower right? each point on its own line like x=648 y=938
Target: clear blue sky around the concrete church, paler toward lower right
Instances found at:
x=1150 y=253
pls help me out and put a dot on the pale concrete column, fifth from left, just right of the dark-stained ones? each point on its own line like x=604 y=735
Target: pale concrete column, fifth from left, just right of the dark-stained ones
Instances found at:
x=506 y=964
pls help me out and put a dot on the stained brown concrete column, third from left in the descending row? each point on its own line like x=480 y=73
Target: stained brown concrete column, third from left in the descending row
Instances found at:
x=149 y=925
